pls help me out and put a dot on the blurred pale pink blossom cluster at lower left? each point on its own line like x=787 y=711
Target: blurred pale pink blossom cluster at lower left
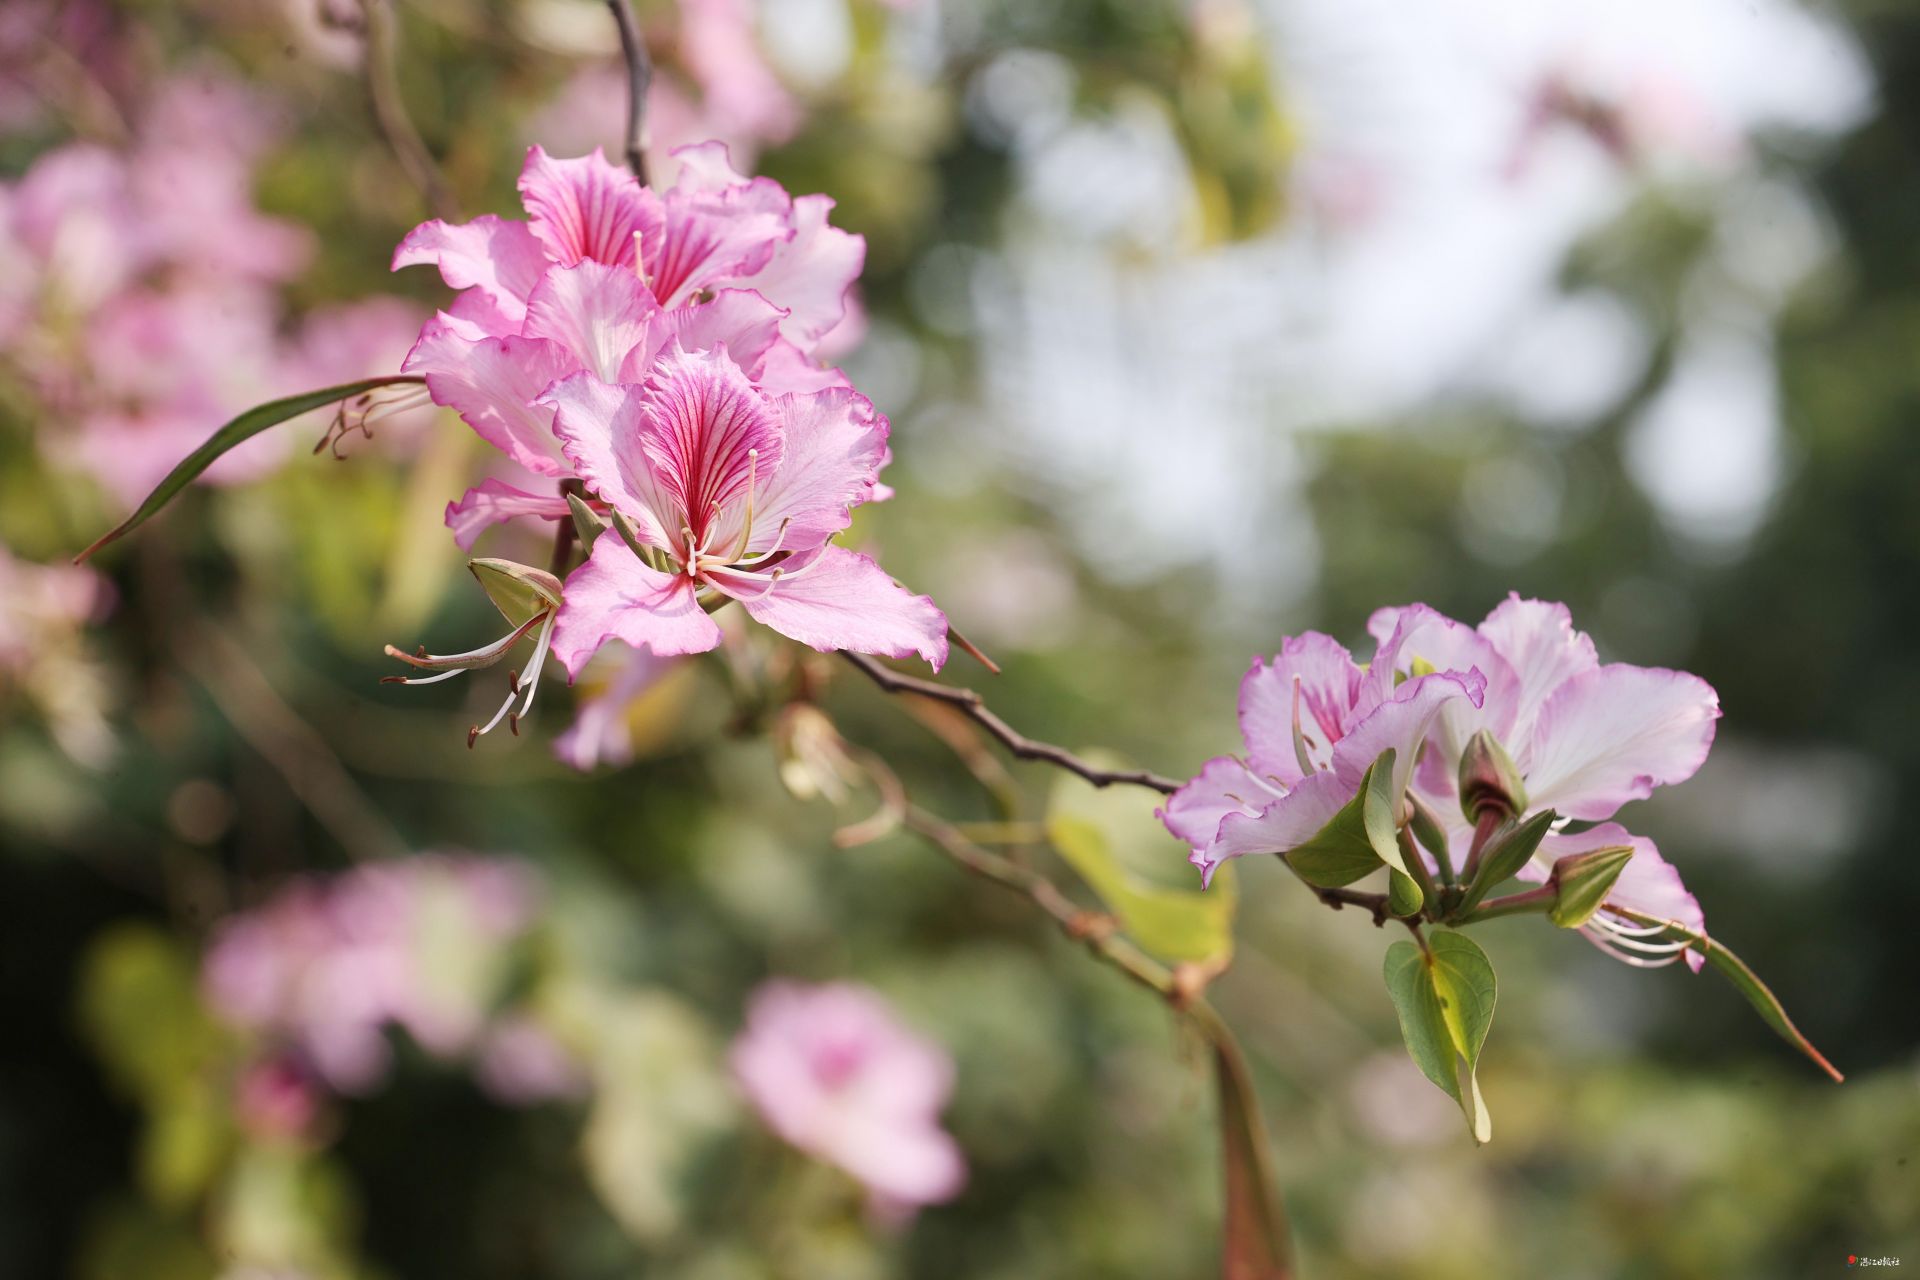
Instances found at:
x=327 y=966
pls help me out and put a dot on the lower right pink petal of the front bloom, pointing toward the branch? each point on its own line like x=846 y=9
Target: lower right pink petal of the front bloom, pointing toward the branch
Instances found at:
x=842 y=600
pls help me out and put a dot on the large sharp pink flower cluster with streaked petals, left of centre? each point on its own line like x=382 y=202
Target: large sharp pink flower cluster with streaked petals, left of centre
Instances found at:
x=658 y=354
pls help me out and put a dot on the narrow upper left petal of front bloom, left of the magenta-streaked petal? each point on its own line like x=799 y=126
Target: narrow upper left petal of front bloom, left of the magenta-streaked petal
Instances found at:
x=600 y=433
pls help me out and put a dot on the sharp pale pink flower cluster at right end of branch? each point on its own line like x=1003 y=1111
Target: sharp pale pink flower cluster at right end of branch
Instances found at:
x=1583 y=740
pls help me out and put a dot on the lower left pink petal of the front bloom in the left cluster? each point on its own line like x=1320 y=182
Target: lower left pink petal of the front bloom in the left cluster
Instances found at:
x=613 y=596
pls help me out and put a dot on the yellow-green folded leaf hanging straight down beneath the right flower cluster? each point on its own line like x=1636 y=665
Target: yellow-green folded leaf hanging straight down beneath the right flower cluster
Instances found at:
x=1445 y=1001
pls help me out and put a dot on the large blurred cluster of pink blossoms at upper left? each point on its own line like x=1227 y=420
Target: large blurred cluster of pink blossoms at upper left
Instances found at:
x=139 y=293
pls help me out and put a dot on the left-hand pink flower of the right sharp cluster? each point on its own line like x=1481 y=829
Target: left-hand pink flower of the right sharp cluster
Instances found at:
x=1314 y=723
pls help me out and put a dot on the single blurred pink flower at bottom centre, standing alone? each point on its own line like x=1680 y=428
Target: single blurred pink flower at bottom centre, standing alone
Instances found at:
x=832 y=1072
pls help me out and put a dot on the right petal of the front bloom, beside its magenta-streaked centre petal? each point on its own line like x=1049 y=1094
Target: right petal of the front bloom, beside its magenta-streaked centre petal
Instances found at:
x=834 y=448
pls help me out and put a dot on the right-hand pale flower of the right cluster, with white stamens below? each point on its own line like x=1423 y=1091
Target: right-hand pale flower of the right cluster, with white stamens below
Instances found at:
x=1587 y=740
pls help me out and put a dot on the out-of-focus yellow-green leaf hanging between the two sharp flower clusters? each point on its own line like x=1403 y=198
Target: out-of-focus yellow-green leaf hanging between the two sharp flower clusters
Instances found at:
x=1111 y=836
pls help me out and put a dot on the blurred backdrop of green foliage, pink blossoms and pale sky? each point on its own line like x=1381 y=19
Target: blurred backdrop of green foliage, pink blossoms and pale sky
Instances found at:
x=1201 y=323
